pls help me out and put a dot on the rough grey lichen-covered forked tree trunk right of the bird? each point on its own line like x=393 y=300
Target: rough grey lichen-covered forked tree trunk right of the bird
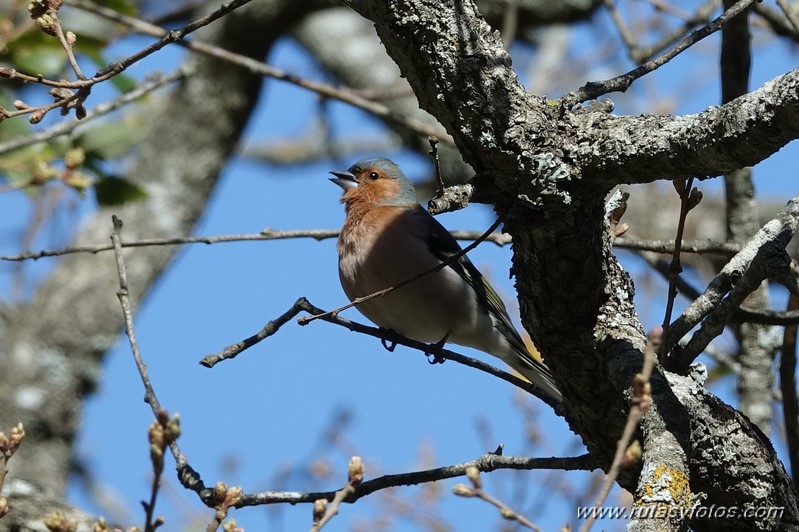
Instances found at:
x=546 y=169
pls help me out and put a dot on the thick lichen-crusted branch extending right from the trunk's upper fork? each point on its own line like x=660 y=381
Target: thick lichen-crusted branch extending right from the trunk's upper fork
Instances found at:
x=716 y=141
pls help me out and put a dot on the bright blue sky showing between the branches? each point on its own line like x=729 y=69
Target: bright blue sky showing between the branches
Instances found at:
x=251 y=420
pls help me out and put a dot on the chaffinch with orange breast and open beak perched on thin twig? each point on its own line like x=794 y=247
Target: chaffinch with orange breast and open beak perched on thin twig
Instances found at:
x=388 y=238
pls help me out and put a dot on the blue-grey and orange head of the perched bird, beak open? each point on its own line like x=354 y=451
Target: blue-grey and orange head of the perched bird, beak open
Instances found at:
x=375 y=181
